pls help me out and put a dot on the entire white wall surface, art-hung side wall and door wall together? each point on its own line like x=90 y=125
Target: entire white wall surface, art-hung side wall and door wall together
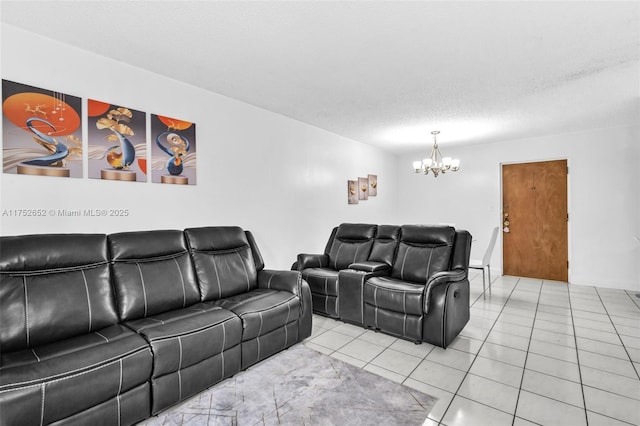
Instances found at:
x=286 y=181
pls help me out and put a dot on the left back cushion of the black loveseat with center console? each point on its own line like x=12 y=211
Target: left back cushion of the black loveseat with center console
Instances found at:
x=352 y=243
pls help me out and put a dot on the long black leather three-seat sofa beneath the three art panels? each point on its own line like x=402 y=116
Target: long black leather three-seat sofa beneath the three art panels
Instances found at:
x=110 y=329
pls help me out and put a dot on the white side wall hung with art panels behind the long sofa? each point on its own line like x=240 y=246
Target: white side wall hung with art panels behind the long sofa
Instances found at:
x=283 y=180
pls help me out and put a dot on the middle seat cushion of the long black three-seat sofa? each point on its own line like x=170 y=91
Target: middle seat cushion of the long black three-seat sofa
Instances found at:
x=185 y=337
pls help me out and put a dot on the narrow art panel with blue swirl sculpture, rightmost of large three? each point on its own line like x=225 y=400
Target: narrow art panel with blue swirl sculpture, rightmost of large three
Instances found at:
x=173 y=150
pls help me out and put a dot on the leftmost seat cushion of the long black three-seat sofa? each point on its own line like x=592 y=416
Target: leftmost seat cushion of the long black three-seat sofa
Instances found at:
x=57 y=380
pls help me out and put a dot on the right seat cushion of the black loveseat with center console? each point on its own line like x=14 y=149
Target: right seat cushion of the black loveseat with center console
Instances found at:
x=394 y=295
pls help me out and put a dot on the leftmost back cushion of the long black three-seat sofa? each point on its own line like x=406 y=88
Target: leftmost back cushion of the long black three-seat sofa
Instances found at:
x=53 y=287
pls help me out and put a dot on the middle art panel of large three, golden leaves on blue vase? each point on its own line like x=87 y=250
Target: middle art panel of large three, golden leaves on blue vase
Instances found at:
x=117 y=142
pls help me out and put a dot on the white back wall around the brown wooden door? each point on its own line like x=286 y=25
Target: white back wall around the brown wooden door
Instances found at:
x=604 y=198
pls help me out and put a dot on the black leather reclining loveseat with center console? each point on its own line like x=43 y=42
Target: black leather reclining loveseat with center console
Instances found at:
x=409 y=281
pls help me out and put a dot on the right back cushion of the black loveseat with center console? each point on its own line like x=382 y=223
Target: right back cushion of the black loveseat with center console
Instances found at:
x=423 y=251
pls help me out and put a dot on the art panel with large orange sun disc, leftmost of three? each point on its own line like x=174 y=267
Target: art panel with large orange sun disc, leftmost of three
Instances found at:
x=42 y=131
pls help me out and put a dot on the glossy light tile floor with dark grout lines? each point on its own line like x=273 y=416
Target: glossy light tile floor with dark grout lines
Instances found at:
x=533 y=352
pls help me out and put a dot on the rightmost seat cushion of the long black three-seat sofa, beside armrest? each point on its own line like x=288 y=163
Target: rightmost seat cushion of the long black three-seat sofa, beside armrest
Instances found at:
x=262 y=310
